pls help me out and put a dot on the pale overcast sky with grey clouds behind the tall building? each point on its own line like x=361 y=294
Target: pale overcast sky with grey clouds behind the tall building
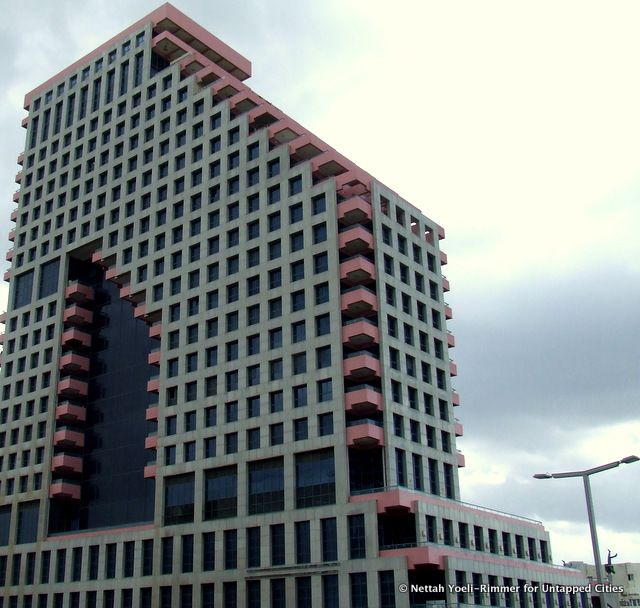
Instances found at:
x=516 y=125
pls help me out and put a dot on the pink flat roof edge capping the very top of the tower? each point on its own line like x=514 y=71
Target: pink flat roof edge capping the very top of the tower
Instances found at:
x=240 y=64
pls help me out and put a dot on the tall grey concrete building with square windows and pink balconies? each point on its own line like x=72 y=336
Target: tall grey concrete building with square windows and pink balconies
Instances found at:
x=226 y=376
